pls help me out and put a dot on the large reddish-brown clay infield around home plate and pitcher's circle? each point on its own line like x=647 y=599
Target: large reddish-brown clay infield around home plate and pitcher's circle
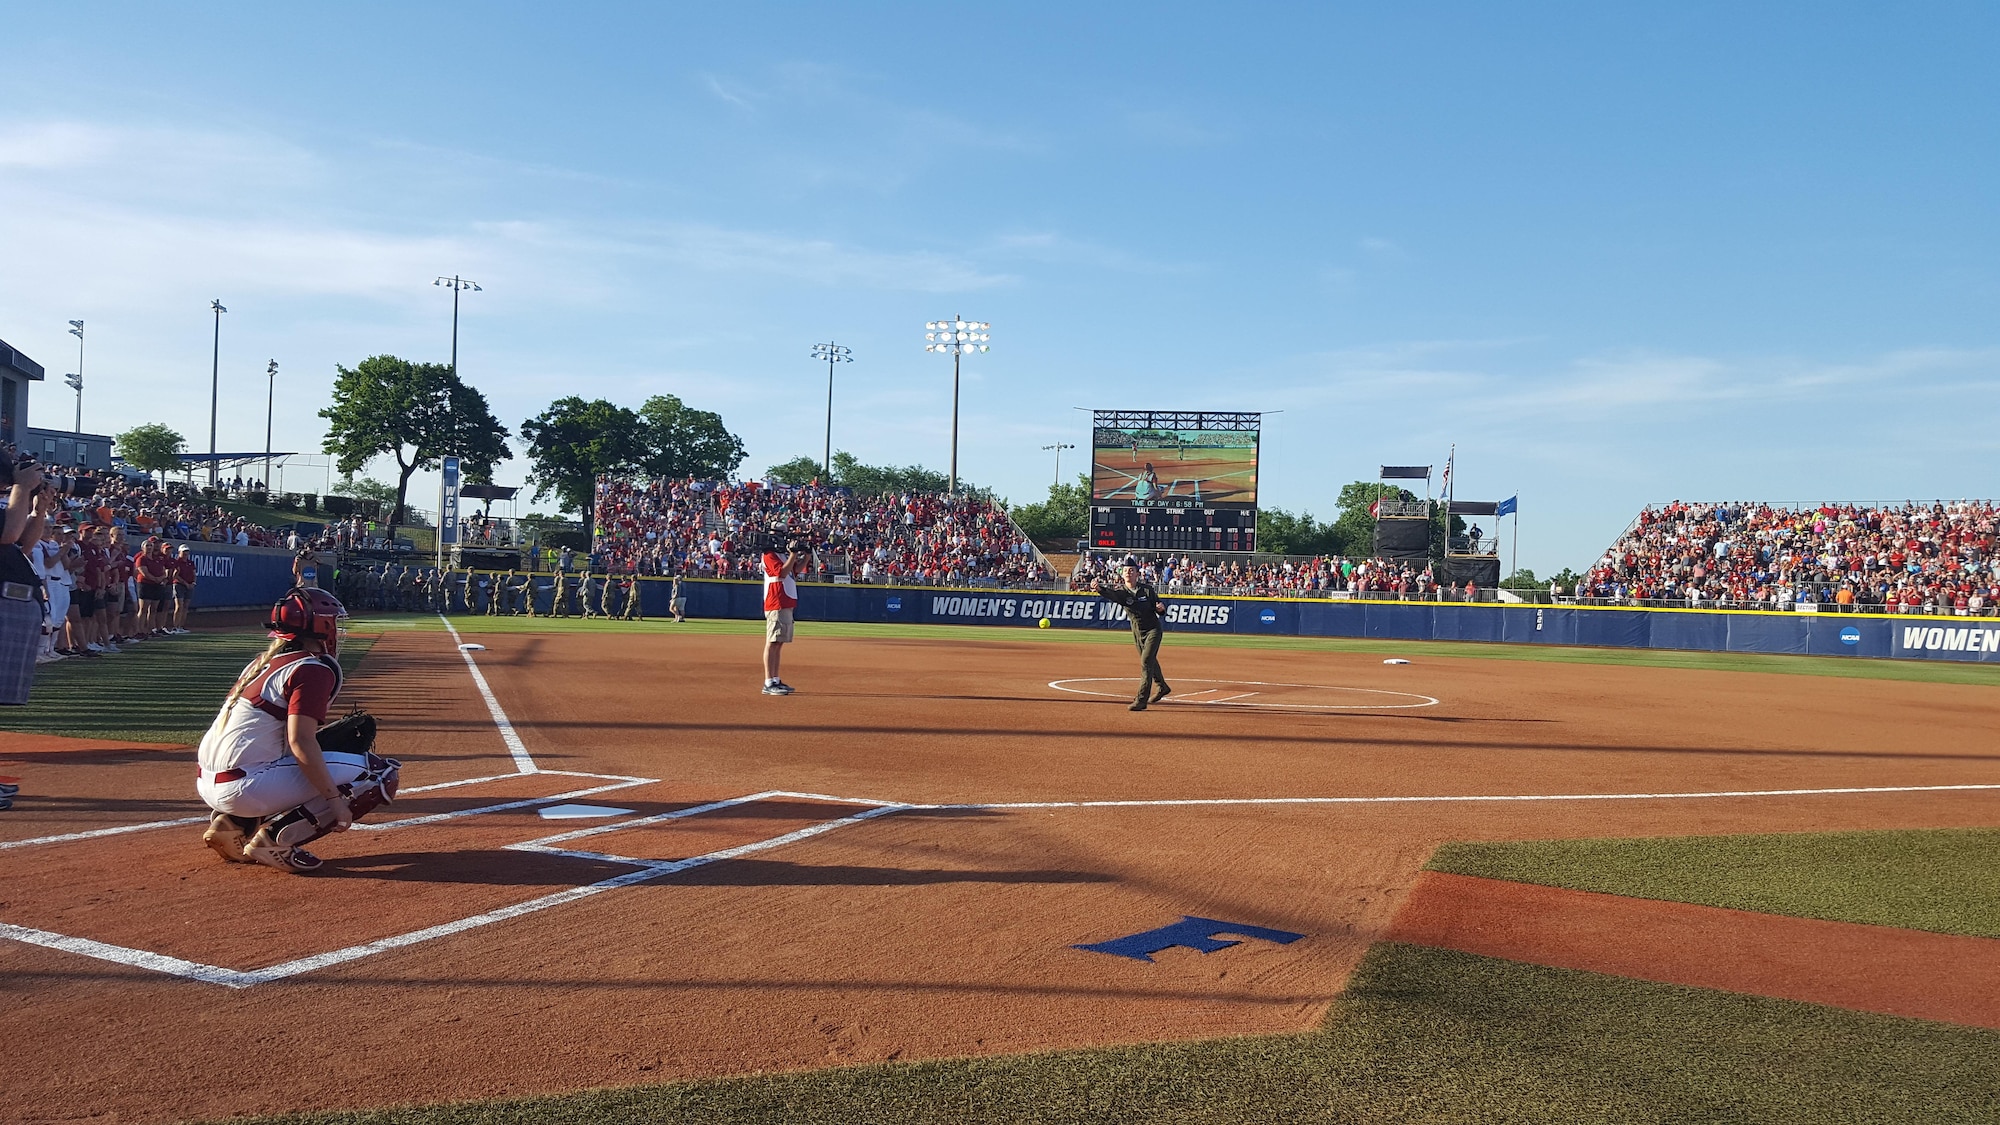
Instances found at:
x=919 y=934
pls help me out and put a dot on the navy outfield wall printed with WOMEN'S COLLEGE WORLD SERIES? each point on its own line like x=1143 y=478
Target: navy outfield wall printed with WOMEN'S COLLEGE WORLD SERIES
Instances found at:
x=1703 y=632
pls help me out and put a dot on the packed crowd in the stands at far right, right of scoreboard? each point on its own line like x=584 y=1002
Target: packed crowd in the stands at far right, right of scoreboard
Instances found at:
x=1877 y=559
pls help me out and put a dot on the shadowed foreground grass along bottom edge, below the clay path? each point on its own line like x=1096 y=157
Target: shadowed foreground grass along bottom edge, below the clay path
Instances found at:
x=1421 y=1036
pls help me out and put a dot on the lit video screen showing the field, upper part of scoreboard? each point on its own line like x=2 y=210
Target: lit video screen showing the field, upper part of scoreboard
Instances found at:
x=1151 y=467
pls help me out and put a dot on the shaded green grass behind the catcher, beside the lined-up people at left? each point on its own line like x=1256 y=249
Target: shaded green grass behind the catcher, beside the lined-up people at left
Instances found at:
x=155 y=692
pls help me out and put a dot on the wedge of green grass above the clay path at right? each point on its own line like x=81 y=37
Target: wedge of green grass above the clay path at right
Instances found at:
x=1939 y=880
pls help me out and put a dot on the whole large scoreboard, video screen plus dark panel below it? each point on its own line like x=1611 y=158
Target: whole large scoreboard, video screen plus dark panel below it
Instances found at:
x=1173 y=479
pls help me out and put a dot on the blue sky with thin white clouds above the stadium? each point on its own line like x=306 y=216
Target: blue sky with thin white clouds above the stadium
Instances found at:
x=1613 y=253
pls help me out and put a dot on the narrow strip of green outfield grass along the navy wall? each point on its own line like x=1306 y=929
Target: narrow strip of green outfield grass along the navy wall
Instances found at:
x=1915 y=672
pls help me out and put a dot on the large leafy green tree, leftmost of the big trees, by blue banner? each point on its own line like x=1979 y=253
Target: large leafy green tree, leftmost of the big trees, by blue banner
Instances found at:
x=415 y=413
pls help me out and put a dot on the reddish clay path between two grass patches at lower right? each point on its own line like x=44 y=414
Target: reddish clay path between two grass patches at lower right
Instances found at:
x=1865 y=968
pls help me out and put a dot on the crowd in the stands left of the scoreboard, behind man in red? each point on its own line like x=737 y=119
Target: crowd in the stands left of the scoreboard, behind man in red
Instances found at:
x=719 y=529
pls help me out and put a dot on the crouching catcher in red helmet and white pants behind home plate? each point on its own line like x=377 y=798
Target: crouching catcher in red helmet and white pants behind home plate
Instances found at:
x=275 y=778
